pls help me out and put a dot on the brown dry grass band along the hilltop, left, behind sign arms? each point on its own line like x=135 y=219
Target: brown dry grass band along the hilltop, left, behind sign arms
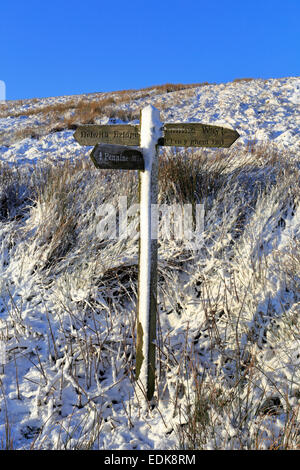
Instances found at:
x=86 y=110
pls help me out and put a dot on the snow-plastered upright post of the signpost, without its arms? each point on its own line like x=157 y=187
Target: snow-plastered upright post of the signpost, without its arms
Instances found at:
x=151 y=132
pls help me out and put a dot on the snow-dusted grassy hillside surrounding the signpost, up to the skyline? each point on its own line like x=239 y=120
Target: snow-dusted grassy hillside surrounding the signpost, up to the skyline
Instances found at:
x=229 y=317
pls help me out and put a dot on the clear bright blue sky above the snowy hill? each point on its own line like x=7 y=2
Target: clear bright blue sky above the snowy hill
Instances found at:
x=71 y=47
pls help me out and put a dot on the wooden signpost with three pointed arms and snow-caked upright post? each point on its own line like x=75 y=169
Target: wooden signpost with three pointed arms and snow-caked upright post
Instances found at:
x=136 y=148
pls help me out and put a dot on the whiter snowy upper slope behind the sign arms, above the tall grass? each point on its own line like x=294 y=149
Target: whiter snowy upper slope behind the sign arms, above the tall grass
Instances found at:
x=260 y=110
